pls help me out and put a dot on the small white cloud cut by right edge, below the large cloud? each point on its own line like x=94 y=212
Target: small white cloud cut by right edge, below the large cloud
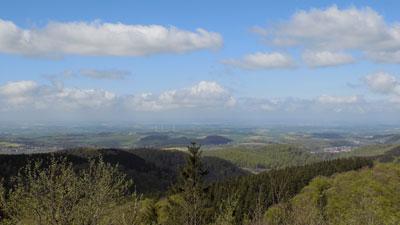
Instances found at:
x=383 y=83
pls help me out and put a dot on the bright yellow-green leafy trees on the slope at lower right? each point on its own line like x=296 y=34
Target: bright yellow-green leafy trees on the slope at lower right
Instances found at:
x=368 y=196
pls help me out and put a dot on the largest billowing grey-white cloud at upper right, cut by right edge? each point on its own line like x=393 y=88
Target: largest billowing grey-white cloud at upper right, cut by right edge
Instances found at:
x=336 y=30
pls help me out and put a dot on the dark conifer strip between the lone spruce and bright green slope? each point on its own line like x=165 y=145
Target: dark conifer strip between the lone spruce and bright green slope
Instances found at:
x=276 y=185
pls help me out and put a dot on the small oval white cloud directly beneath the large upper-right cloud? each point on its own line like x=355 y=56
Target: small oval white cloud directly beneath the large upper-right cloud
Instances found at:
x=326 y=58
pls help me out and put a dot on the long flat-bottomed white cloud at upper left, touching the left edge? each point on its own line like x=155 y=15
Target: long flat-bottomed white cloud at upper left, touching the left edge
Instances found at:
x=102 y=39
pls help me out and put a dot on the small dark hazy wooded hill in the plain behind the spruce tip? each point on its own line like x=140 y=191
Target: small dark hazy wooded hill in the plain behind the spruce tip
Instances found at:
x=158 y=140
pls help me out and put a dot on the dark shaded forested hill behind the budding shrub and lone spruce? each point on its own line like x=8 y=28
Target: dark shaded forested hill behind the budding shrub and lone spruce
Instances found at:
x=152 y=170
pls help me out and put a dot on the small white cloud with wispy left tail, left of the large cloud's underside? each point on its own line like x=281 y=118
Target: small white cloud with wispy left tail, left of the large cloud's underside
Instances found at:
x=262 y=61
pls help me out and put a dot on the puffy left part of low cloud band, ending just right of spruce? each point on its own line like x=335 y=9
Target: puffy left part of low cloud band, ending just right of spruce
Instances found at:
x=29 y=95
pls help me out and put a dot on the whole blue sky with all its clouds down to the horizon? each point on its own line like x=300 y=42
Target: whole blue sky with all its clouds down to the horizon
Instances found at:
x=200 y=61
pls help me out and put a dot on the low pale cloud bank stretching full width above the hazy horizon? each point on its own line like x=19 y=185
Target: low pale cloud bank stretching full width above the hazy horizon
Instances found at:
x=205 y=99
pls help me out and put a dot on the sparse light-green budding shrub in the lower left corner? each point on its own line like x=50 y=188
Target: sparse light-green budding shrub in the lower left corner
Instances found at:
x=57 y=194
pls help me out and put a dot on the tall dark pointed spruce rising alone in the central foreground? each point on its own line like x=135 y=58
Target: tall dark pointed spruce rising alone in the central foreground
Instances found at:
x=191 y=188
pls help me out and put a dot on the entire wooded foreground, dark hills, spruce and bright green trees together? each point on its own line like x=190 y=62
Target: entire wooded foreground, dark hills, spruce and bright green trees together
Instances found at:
x=149 y=186
